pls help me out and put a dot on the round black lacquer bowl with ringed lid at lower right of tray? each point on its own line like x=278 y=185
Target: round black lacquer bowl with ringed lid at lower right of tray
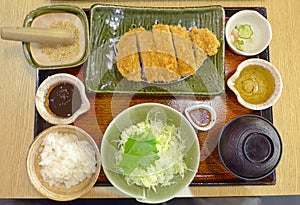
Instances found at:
x=250 y=147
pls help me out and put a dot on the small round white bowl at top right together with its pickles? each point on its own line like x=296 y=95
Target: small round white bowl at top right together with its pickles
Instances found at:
x=248 y=33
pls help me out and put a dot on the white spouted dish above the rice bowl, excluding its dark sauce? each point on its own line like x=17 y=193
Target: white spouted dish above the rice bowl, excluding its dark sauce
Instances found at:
x=41 y=98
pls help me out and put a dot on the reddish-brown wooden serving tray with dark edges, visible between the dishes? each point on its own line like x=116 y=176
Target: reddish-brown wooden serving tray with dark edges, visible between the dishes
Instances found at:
x=104 y=107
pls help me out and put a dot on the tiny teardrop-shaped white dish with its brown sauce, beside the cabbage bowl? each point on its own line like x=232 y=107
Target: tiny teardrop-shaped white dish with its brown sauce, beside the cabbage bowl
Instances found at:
x=203 y=117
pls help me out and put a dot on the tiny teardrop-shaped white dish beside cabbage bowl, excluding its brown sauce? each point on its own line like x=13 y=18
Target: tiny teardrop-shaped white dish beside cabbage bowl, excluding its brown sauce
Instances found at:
x=212 y=116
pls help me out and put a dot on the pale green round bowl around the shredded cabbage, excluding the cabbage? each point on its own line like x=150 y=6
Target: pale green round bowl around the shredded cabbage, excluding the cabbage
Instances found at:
x=132 y=116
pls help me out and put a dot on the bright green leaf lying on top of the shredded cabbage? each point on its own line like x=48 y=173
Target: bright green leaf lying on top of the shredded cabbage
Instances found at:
x=140 y=152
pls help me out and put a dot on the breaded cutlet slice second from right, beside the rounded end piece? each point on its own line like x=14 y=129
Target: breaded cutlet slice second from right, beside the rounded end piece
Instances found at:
x=184 y=50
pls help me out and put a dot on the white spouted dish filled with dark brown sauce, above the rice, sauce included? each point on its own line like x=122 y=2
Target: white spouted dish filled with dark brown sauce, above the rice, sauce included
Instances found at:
x=61 y=99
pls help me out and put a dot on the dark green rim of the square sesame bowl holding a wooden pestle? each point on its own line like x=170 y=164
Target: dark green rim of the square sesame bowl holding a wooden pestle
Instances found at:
x=79 y=12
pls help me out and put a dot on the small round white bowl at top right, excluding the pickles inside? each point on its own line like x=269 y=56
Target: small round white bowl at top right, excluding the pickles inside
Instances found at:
x=262 y=32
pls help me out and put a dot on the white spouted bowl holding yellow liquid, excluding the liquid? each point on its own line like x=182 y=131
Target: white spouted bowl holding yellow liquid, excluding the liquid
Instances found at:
x=231 y=82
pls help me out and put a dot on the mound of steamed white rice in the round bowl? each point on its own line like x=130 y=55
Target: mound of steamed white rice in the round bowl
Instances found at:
x=66 y=160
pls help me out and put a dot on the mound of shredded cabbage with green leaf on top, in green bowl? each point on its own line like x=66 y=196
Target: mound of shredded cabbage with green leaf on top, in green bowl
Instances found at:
x=151 y=154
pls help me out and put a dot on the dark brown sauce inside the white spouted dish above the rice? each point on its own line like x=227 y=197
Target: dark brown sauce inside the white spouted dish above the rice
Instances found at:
x=64 y=99
